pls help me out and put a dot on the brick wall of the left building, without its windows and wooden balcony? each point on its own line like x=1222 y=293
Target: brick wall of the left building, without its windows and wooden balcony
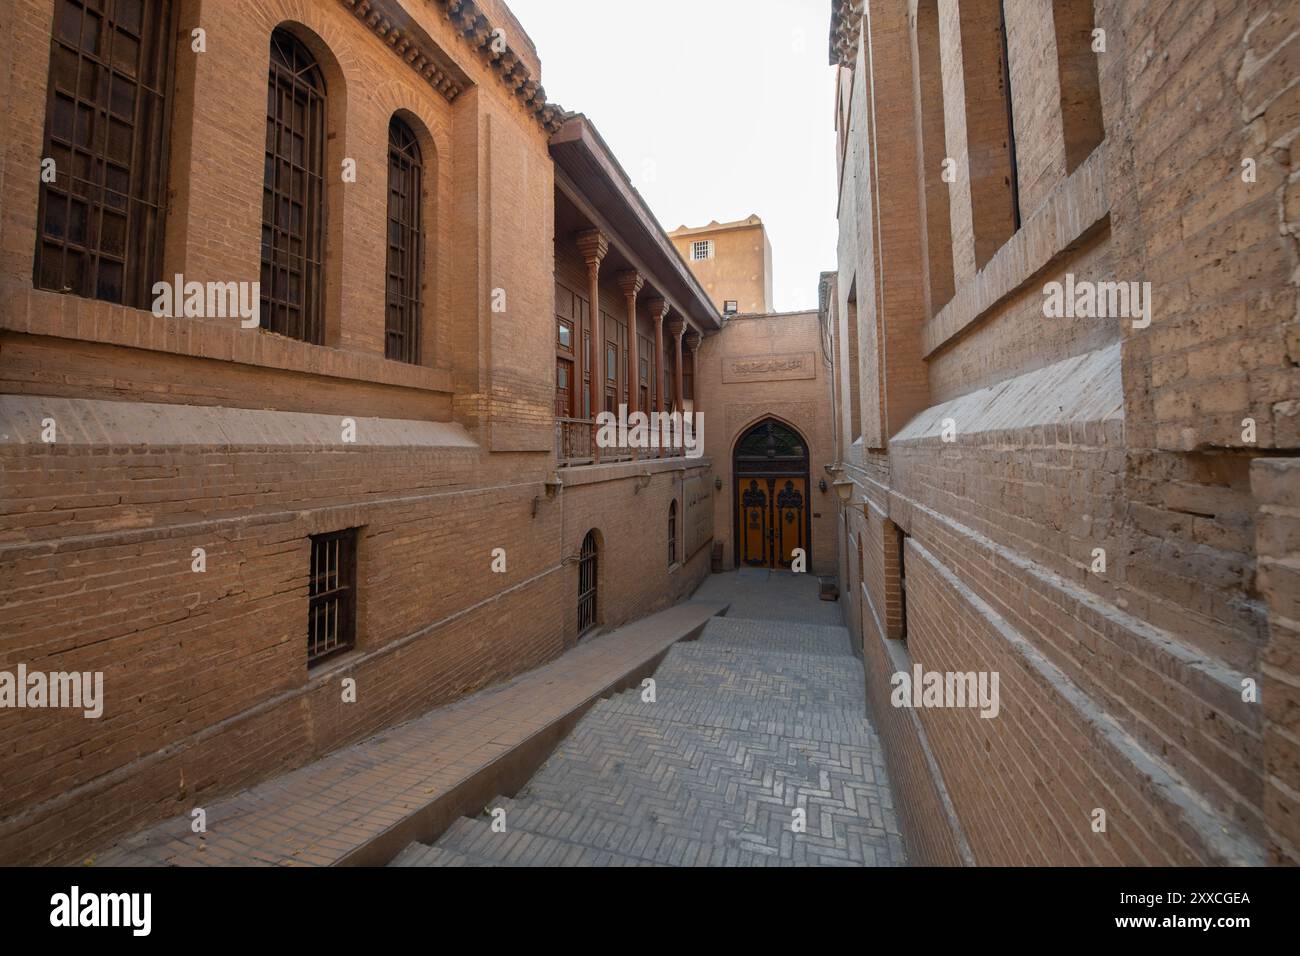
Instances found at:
x=183 y=434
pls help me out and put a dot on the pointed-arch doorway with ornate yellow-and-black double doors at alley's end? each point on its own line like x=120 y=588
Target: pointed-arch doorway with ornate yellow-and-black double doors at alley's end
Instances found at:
x=770 y=469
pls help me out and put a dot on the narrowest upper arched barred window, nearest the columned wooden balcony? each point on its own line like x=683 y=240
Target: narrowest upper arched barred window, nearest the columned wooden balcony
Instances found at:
x=406 y=245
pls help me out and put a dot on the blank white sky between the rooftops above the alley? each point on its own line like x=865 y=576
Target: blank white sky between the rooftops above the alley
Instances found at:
x=716 y=109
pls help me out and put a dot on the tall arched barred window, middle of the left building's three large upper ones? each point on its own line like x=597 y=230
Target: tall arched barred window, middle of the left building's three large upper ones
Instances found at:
x=293 y=206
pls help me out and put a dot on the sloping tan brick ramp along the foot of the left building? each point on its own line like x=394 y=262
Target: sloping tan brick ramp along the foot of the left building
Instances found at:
x=352 y=804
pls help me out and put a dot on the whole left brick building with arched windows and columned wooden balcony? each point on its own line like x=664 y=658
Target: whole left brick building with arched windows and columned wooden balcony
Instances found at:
x=392 y=481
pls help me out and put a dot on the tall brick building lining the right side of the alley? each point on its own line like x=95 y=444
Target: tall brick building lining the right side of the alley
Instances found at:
x=1100 y=509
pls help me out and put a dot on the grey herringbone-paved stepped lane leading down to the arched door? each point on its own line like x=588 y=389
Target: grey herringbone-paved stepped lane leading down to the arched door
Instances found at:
x=761 y=717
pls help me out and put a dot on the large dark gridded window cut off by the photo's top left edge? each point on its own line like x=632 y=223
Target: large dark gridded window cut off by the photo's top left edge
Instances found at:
x=101 y=220
